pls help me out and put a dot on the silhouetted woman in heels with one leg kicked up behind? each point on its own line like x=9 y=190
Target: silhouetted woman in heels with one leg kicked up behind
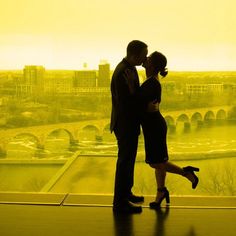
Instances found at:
x=155 y=129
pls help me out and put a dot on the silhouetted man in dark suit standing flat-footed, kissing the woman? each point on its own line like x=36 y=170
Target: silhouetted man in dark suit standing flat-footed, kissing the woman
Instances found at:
x=126 y=125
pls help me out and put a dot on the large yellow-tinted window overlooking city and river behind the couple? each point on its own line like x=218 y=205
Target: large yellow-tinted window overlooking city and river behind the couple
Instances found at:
x=56 y=63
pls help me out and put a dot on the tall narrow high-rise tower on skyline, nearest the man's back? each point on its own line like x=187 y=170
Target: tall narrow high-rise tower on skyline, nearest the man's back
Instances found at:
x=103 y=74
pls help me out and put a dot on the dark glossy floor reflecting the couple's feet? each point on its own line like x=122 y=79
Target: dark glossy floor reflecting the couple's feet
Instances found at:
x=185 y=217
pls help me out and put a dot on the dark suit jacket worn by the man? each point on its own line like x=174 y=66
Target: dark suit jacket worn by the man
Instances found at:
x=124 y=116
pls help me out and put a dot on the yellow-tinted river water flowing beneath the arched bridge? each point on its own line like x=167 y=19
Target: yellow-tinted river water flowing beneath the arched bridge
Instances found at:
x=209 y=141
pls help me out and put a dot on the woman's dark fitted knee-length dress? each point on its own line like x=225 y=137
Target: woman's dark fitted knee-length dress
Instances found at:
x=153 y=123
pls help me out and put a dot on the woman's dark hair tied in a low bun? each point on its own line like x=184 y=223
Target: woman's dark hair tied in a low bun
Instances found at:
x=159 y=63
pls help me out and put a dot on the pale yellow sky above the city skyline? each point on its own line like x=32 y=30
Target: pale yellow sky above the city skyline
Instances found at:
x=62 y=34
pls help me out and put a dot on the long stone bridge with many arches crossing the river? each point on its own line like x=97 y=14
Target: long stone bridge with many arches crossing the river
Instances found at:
x=41 y=133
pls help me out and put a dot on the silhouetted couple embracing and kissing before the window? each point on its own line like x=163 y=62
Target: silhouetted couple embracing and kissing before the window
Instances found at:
x=134 y=105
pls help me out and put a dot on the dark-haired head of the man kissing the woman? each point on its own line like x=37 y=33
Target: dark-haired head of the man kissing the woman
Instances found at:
x=136 y=52
